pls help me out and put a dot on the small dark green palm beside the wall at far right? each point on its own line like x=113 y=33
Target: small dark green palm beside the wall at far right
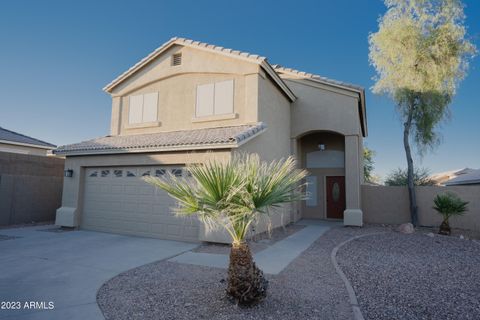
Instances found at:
x=449 y=205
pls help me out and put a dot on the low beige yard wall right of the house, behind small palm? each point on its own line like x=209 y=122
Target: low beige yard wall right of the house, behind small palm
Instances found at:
x=390 y=205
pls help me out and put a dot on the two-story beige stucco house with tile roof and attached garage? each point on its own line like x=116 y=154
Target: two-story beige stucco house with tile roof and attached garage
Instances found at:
x=188 y=102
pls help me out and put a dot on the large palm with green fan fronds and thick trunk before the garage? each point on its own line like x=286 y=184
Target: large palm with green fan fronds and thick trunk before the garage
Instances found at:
x=235 y=195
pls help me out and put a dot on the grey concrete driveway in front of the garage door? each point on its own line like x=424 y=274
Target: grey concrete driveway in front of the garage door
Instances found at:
x=40 y=268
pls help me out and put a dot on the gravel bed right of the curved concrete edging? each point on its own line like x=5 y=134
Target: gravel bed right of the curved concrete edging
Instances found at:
x=413 y=276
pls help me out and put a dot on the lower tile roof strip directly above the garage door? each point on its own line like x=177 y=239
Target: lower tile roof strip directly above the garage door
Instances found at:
x=210 y=138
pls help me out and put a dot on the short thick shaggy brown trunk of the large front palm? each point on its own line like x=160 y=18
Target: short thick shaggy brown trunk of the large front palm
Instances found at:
x=246 y=283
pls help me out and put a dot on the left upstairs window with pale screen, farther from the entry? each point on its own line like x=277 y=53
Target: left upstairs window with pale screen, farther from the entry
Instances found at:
x=143 y=108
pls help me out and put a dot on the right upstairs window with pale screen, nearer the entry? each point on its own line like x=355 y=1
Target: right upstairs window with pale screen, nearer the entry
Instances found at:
x=214 y=99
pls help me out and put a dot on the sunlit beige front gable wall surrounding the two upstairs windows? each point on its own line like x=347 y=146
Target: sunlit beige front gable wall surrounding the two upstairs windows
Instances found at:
x=177 y=91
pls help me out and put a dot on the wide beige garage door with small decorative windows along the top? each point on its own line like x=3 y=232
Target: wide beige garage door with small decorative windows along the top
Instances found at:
x=117 y=200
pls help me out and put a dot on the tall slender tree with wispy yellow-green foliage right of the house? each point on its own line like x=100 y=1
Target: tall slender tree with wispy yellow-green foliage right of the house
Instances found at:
x=420 y=54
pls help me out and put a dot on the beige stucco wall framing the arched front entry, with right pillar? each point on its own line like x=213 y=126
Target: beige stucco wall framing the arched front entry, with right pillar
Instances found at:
x=321 y=107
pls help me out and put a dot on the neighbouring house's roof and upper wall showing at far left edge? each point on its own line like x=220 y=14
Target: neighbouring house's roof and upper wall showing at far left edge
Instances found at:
x=14 y=142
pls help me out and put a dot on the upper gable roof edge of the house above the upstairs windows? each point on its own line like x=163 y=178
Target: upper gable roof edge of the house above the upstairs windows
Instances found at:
x=262 y=61
